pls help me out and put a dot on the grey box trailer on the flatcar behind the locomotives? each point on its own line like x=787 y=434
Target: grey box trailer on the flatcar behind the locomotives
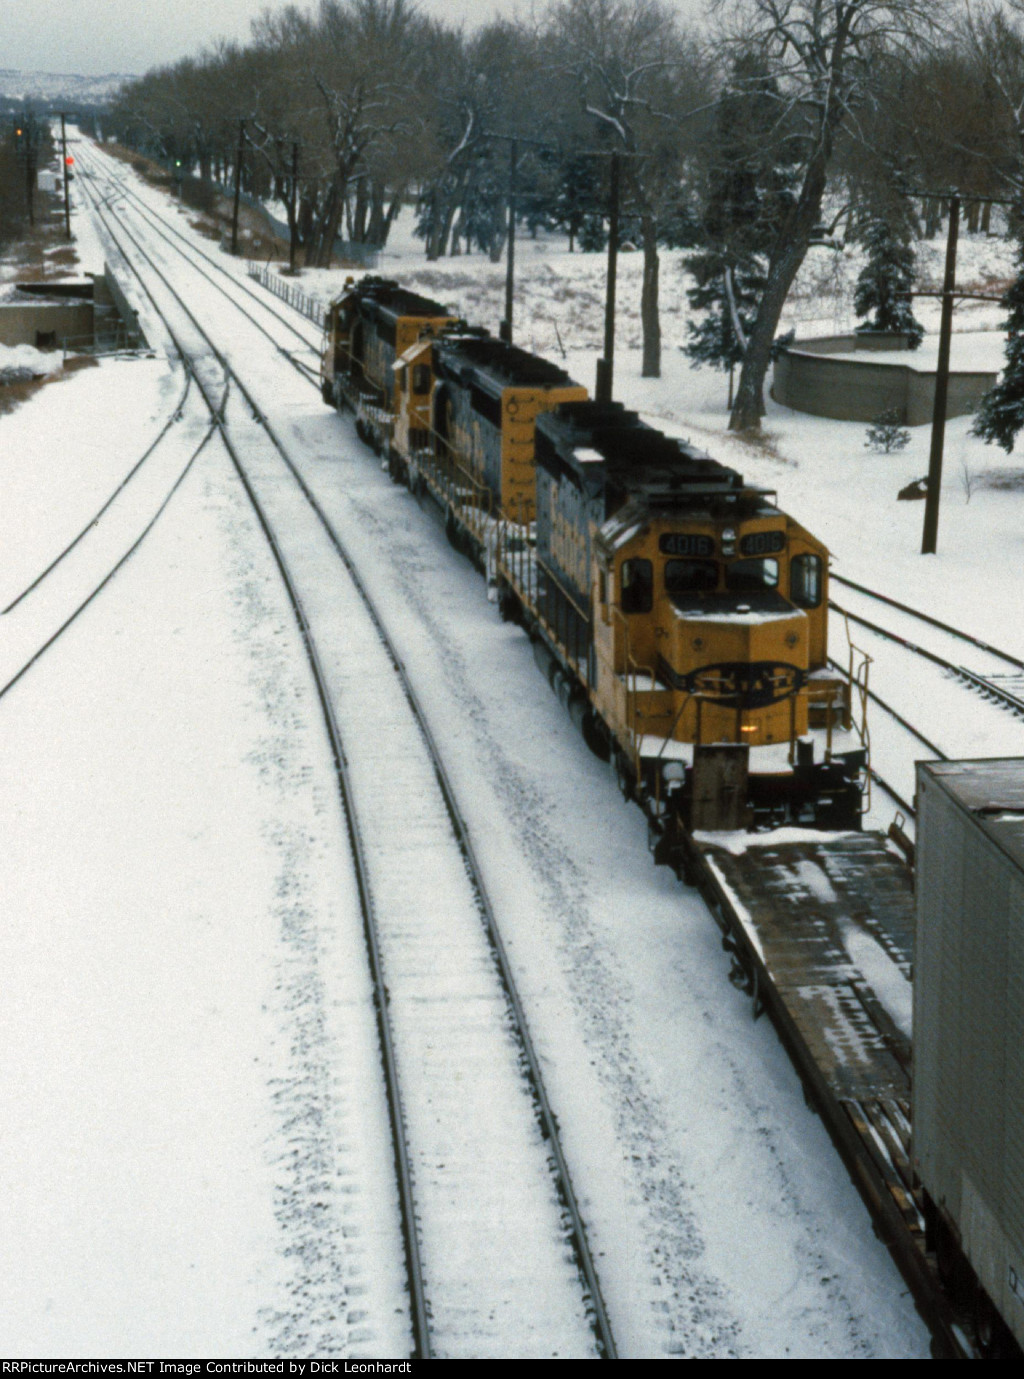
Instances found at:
x=968 y=1143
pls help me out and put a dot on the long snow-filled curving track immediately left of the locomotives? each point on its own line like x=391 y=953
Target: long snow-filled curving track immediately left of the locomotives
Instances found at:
x=495 y=1246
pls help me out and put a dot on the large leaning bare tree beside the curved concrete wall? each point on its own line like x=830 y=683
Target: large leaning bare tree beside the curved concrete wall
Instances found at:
x=822 y=54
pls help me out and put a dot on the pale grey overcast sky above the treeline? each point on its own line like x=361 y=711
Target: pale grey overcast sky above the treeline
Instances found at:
x=94 y=38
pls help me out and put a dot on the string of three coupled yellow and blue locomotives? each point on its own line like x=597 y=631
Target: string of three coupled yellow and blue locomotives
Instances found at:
x=677 y=612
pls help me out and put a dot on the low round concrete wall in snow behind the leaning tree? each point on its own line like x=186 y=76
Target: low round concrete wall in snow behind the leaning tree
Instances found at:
x=810 y=380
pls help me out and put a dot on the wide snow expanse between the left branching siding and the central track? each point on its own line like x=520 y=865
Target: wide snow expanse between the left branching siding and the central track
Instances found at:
x=169 y=820
